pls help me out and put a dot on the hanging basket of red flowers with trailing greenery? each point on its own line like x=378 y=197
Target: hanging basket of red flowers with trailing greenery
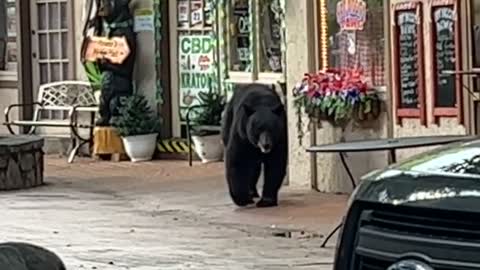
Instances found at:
x=336 y=96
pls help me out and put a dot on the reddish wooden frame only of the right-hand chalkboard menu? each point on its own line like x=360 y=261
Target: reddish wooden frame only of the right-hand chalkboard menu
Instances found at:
x=457 y=110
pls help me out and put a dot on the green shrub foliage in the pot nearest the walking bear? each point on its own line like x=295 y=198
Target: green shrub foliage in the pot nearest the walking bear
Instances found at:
x=212 y=107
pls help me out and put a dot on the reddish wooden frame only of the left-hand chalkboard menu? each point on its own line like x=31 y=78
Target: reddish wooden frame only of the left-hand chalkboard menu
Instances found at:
x=401 y=113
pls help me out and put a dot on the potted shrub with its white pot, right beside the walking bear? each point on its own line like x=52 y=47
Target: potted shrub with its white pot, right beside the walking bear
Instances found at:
x=206 y=127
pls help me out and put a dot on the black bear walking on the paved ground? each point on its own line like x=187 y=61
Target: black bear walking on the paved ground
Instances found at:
x=254 y=133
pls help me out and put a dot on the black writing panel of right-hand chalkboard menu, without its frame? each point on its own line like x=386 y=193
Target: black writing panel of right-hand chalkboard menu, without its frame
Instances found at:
x=445 y=56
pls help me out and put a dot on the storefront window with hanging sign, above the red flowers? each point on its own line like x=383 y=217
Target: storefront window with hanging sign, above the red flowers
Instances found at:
x=362 y=49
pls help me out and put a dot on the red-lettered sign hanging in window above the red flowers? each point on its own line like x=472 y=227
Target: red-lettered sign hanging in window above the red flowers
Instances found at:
x=351 y=14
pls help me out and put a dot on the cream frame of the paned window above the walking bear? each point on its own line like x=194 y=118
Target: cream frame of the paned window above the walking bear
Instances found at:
x=239 y=77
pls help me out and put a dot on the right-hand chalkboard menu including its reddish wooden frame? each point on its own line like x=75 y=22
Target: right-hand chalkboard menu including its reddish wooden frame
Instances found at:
x=447 y=96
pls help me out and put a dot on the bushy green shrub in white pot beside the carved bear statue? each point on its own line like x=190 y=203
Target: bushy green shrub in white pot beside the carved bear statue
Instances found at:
x=135 y=117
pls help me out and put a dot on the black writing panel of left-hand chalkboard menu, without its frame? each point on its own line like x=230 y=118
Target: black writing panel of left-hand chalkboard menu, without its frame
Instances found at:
x=408 y=58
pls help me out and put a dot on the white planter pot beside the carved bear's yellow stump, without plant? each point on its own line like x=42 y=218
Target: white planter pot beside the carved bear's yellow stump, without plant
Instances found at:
x=141 y=147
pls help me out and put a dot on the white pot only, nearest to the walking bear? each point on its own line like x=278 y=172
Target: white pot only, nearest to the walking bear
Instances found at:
x=208 y=148
